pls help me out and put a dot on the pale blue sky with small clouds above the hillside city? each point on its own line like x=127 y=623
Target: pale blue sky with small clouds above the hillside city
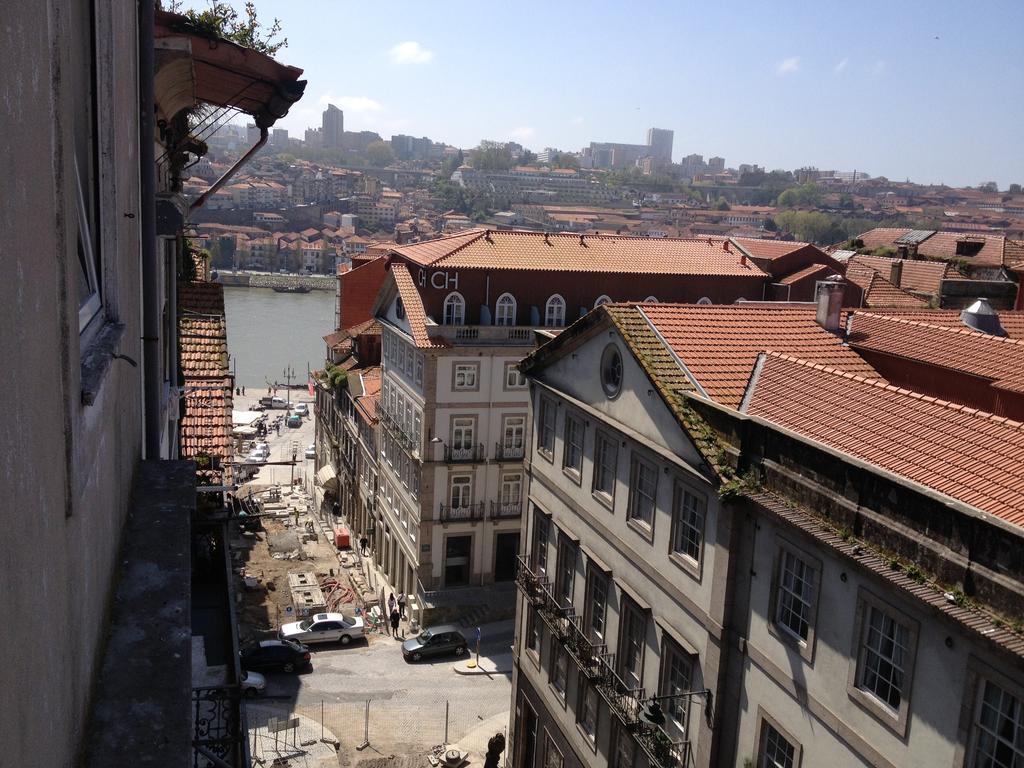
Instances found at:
x=931 y=92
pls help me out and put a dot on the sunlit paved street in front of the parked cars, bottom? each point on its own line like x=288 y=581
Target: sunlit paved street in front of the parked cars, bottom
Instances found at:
x=413 y=707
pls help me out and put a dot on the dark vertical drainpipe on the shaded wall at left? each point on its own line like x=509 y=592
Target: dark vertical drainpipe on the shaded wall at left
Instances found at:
x=148 y=231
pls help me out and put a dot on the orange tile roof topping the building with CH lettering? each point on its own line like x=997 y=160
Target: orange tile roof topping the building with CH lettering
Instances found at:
x=582 y=253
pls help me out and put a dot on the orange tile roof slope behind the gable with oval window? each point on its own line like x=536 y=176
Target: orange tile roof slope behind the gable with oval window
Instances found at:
x=719 y=345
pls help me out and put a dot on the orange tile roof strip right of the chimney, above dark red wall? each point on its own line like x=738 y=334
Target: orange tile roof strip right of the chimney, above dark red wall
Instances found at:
x=992 y=358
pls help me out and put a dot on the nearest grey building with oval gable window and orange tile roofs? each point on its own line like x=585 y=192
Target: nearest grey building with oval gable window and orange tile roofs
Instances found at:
x=745 y=547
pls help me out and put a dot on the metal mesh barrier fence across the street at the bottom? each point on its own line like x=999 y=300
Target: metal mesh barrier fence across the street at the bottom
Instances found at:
x=382 y=726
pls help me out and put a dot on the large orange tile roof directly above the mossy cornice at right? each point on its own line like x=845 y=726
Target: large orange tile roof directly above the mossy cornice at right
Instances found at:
x=966 y=454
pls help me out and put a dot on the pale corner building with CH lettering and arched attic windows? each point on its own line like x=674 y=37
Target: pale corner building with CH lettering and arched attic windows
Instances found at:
x=457 y=315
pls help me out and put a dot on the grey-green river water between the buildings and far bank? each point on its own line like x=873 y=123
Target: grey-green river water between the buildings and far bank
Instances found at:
x=269 y=332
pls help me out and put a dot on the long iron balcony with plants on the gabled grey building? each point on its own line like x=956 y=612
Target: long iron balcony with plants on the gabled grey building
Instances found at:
x=599 y=665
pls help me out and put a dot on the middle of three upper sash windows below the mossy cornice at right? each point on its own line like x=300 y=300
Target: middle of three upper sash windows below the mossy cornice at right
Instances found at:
x=885 y=649
